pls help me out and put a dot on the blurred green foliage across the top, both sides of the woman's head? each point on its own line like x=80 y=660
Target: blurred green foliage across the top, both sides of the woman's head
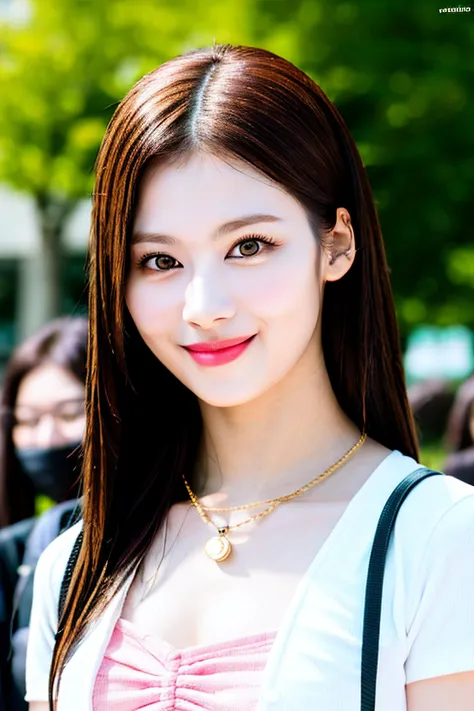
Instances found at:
x=400 y=73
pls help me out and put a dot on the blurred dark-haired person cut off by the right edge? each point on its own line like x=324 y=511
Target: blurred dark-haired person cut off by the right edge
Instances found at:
x=460 y=434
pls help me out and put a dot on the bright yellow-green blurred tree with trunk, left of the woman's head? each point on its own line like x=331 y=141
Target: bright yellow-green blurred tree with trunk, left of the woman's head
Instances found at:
x=63 y=69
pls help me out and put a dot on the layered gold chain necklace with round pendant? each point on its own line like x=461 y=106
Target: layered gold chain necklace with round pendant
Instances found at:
x=219 y=548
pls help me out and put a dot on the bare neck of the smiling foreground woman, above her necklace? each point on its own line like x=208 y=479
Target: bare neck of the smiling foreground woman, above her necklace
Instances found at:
x=276 y=443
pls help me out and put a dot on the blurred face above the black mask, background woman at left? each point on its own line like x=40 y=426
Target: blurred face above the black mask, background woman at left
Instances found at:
x=49 y=409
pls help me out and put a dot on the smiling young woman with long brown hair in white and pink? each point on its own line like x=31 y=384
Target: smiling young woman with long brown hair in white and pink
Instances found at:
x=243 y=344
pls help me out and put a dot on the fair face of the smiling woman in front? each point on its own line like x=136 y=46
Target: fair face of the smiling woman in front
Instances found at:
x=191 y=282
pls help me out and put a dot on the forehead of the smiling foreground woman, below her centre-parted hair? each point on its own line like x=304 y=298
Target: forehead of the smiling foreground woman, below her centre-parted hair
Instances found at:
x=205 y=190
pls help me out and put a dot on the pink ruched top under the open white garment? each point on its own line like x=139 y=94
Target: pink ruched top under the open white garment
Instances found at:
x=141 y=672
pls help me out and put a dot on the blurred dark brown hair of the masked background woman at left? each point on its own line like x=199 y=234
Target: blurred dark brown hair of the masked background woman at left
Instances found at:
x=64 y=343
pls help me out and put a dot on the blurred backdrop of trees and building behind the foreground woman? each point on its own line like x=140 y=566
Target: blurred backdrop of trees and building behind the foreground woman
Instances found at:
x=401 y=74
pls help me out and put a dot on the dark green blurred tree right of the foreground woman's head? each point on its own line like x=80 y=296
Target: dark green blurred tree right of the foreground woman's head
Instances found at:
x=402 y=76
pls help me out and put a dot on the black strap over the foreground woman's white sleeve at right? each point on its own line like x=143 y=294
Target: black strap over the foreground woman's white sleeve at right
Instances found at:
x=373 y=593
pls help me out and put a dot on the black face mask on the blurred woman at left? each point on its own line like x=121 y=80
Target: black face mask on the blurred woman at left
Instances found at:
x=53 y=471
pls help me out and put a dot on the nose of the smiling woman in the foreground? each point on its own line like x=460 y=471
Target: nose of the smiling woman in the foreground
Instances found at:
x=206 y=302
